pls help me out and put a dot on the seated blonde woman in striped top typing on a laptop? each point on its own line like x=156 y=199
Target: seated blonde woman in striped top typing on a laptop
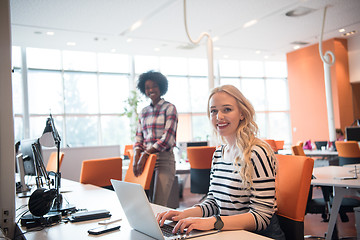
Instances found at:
x=242 y=182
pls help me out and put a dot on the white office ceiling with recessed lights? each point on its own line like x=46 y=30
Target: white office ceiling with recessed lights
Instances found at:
x=105 y=26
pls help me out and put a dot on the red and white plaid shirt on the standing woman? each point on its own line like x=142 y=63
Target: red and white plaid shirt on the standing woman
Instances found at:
x=157 y=127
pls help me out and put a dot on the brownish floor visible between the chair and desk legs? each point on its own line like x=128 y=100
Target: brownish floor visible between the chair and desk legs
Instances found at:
x=313 y=222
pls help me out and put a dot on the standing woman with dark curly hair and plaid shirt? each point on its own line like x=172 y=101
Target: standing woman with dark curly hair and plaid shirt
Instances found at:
x=156 y=134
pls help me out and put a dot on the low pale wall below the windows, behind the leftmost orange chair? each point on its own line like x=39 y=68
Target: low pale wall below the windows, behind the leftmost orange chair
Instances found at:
x=73 y=157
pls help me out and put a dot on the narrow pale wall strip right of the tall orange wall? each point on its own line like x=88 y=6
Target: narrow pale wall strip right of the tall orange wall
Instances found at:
x=354 y=58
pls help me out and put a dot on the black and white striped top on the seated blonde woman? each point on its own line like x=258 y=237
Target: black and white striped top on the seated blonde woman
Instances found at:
x=227 y=196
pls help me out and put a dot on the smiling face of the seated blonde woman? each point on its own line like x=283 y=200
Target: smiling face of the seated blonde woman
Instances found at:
x=225 y=114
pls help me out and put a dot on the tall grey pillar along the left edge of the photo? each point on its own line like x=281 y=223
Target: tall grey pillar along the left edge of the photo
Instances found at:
x=7 y=155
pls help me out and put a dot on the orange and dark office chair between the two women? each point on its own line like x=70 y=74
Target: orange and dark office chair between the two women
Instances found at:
x=200 y=159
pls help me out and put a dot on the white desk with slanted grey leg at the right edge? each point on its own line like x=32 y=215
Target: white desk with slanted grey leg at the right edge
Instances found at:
x=327 y=176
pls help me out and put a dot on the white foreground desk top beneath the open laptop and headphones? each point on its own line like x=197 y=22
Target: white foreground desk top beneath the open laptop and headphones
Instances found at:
x=95 y=198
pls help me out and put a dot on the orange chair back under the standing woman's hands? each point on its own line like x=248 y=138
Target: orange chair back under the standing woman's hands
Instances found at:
x=145 y=178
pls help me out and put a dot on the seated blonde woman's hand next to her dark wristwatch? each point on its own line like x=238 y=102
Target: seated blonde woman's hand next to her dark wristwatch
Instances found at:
x=192 y=223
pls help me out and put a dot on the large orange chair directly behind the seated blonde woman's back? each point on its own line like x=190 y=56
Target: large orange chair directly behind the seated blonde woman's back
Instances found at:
x=292 y=188
